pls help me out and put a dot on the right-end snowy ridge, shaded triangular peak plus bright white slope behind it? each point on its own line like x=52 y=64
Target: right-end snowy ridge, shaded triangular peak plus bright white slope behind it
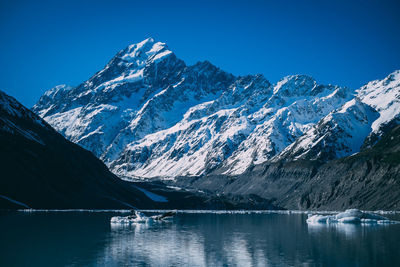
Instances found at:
x=342 y=132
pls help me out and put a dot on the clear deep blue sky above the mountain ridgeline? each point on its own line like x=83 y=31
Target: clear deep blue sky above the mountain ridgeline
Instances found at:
x=45 y=43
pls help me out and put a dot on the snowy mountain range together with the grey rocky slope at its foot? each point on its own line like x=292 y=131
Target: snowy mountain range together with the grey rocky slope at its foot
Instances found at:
x=300 y=144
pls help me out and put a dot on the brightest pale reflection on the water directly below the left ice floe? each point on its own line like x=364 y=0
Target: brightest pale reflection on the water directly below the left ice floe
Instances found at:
x=155 y=245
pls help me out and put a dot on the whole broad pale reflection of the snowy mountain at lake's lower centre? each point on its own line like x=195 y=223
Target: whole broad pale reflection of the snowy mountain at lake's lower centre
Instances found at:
x=170 y=245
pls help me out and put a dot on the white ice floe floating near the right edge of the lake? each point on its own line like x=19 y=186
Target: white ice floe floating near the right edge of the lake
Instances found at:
x=353 y=216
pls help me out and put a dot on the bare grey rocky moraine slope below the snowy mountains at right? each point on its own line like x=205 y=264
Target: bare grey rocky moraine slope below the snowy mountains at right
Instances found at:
x=368 y=180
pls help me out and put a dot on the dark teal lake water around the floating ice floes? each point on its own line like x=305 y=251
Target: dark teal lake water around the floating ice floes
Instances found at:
x=88 y=239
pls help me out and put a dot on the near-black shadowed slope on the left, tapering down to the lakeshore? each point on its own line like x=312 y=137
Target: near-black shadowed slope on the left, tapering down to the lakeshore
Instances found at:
x=40 y=169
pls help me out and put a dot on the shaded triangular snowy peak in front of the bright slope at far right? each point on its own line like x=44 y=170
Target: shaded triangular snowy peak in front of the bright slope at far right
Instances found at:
x=340 y=133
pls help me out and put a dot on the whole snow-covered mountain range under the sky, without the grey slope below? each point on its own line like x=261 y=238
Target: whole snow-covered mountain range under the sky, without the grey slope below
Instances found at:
x=148 y=114
